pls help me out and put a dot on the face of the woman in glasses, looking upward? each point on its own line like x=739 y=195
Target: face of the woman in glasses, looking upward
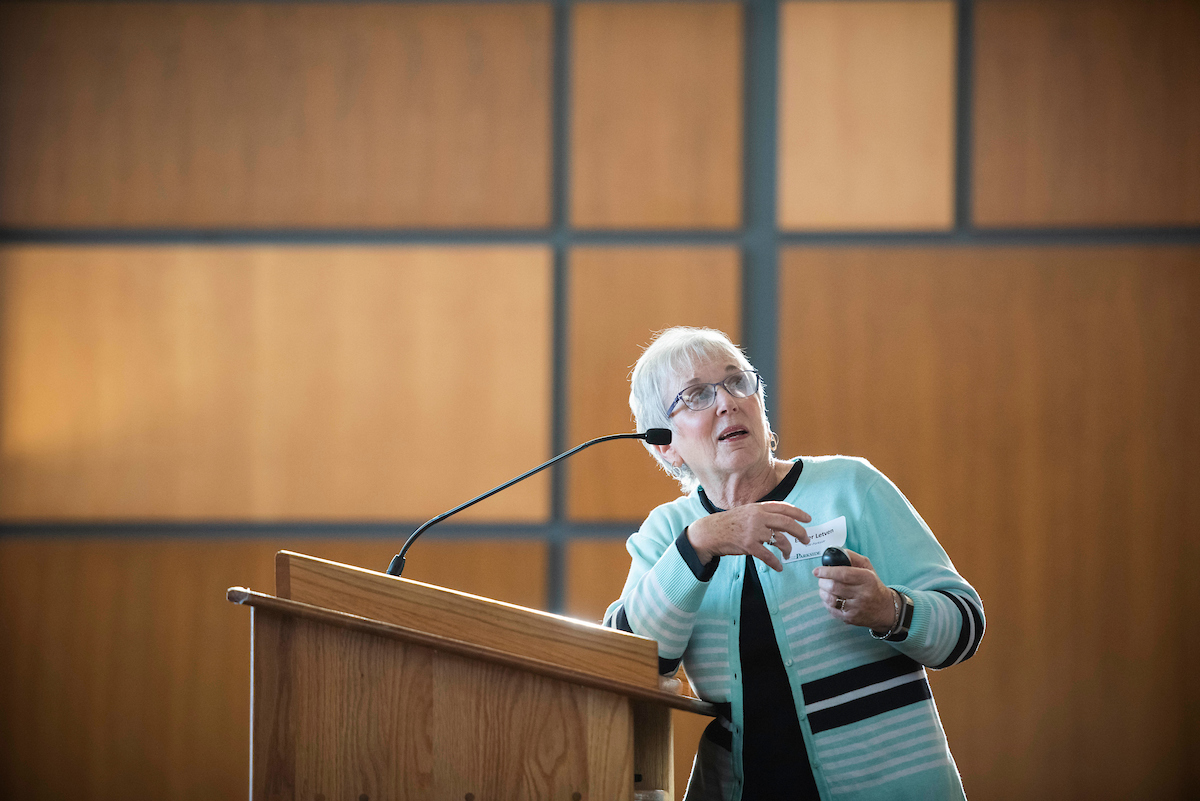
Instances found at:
x=728 y=438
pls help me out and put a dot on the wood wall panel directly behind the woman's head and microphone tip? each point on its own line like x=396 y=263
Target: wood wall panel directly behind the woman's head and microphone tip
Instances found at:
x=620 y=297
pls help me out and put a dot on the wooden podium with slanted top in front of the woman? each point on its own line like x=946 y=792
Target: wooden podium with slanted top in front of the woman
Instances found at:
x=375 y=689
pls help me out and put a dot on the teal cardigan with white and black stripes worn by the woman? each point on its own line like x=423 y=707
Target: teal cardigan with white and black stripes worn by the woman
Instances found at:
x=866 y=709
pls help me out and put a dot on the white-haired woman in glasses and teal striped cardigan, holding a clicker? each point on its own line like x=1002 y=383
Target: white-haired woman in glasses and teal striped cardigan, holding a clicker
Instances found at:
x=818 y=672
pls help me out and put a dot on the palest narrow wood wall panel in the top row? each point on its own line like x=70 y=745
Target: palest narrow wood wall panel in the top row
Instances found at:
x=867 y=116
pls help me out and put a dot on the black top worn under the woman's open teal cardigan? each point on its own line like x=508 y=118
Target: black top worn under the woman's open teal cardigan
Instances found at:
x=775 y=761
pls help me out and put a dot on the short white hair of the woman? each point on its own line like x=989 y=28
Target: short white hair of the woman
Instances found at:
x=674 y=357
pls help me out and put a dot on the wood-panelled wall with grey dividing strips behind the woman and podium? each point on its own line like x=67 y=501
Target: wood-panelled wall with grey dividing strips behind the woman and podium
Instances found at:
x=305 y=275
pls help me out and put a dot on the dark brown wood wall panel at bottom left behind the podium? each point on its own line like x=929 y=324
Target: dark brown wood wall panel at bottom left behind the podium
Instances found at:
x=125 y=673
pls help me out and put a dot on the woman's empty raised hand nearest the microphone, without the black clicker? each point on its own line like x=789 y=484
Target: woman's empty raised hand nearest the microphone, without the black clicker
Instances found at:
x=745 y=529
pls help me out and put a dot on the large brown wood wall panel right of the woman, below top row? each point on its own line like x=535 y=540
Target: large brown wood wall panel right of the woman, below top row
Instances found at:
x=1039 y=407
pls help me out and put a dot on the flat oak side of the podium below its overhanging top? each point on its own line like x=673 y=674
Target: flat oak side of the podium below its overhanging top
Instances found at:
x=345 y=714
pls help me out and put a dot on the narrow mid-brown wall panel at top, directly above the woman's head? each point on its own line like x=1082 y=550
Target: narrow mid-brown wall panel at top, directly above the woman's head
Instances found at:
x=657 y=115
